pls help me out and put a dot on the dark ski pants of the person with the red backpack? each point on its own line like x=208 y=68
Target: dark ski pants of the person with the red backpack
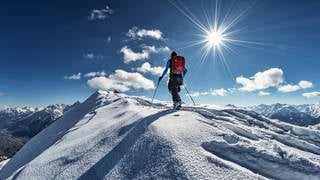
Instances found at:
x=175 y=81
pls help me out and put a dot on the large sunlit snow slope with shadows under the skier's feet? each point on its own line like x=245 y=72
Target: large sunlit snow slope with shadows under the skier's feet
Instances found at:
x=111 y=136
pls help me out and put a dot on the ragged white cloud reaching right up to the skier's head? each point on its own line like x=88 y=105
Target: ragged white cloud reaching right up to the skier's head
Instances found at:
x=130 y=56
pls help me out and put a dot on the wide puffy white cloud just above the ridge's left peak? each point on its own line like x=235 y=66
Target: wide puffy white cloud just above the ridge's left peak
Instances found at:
x=122 y=81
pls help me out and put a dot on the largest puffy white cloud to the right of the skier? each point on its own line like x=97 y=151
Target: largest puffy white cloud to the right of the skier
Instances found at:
x=261 y=80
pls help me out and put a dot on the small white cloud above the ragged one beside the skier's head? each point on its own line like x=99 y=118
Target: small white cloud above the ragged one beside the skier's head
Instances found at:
x=136 y=33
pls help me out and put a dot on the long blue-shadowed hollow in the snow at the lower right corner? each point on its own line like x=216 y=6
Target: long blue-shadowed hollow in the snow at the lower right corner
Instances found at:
x=280 y=166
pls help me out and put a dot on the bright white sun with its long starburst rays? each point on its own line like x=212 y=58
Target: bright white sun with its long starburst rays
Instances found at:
x=219 y=33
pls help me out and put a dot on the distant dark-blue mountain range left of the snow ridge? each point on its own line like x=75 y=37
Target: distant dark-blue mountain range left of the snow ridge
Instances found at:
x=18 y=125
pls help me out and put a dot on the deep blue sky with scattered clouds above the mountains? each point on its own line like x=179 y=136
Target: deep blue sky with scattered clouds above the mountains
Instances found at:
x=62 y=51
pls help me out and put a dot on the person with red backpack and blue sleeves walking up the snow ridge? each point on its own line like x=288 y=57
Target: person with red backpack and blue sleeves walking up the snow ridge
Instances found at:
x=177 y=72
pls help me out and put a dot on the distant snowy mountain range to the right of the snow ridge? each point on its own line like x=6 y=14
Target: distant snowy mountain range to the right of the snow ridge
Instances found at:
x=302 y=115
